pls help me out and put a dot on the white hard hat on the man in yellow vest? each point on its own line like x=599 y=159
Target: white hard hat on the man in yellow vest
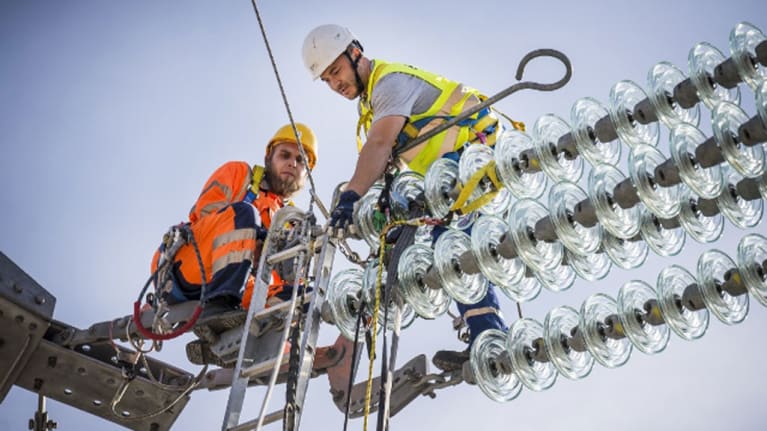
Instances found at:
x=323 y=45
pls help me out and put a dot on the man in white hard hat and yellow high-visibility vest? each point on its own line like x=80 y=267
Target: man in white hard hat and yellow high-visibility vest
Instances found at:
x=397 y=103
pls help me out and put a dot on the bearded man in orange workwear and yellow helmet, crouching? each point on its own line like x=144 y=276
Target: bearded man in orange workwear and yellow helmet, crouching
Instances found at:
x=229 y=222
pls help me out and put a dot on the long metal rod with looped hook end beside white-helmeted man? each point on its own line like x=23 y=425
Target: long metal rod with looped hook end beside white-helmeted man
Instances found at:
x=513 y=89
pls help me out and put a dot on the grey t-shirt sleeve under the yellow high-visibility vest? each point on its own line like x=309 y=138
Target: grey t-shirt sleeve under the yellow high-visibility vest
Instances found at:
x=401 y=94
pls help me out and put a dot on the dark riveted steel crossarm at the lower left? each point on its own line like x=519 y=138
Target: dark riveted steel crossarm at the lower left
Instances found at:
x=58 y=361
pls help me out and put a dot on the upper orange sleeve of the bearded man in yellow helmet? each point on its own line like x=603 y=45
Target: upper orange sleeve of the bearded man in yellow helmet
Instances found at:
x=228 y=184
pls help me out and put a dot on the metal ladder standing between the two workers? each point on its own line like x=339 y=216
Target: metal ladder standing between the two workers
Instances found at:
x=254 y=347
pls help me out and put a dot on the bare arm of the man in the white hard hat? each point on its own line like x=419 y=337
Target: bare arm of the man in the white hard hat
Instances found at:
x=375 y=154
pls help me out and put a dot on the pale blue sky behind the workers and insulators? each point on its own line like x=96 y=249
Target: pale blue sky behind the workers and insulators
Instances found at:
x=114 y=114
